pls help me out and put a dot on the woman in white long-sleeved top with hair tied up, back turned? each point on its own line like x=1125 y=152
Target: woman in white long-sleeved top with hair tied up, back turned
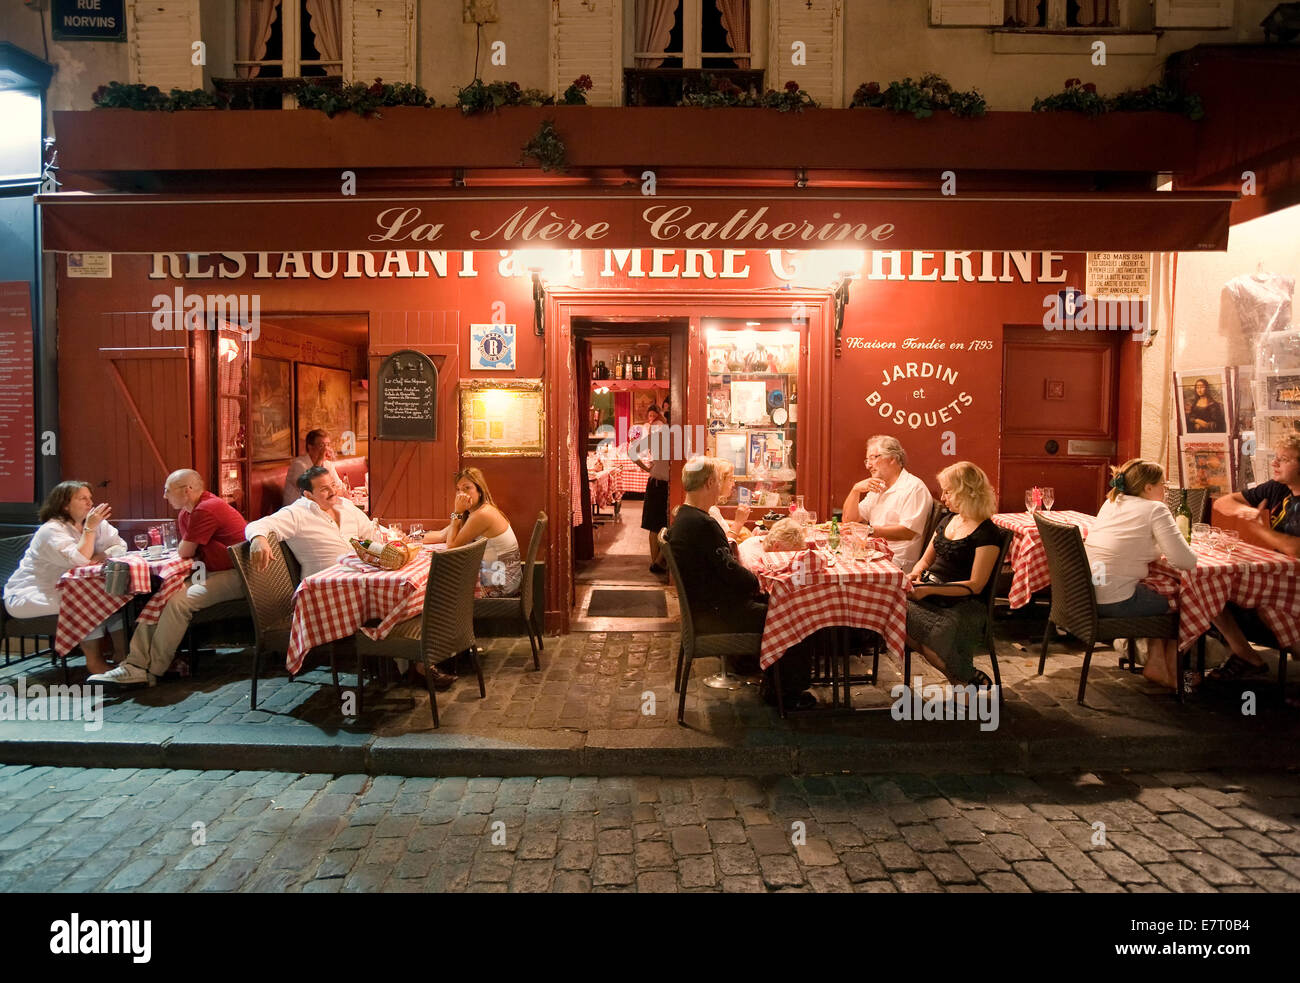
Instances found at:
x=1136 y=527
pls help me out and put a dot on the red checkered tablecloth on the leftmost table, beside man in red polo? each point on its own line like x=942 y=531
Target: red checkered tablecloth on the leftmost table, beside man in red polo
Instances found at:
x=84 y=605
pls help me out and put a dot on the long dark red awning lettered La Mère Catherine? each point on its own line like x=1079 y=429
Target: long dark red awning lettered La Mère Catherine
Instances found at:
x=791 y=220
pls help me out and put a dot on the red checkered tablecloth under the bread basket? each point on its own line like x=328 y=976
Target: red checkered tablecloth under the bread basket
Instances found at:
x=336 y=603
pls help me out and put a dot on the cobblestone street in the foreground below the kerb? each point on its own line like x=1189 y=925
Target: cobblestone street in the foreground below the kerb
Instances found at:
x=86 y=830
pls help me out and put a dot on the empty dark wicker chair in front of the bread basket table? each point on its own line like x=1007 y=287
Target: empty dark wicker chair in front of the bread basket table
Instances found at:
x=445 y=629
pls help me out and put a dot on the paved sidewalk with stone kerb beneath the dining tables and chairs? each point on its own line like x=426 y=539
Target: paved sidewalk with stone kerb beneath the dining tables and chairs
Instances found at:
x=603 y=704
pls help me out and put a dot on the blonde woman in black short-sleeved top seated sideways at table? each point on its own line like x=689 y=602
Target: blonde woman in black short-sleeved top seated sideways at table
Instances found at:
x=946 y=618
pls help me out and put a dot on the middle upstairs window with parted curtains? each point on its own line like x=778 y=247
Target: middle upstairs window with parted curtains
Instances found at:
x=692 y=34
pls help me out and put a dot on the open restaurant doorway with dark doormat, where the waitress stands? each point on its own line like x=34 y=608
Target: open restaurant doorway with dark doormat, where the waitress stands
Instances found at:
x=630 y=376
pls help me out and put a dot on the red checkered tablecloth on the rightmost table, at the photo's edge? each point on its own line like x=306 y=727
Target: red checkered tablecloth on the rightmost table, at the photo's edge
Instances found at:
x=1251 y=578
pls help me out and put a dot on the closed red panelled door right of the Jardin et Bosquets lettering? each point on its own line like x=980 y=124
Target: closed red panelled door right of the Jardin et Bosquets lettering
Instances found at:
x=1060 y=415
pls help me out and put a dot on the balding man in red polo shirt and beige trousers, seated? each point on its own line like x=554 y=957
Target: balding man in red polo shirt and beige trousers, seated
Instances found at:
x=207 y=526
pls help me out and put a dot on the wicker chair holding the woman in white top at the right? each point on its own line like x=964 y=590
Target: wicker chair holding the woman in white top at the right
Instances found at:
x=1074 y=603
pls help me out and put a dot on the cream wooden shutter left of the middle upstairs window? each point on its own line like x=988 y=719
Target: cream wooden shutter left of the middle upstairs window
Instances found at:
x=587 y=40
